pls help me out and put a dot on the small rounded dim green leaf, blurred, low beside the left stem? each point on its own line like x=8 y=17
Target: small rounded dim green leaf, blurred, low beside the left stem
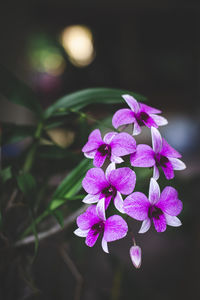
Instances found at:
x=26 y=183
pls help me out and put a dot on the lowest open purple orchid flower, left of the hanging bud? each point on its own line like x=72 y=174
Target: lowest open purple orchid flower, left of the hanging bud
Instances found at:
x=93 y=222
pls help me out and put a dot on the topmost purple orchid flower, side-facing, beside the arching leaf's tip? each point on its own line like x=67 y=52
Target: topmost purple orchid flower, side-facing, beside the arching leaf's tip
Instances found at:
x=139 y=114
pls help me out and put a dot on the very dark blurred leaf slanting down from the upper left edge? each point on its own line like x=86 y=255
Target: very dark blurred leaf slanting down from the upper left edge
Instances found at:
x=18 y=92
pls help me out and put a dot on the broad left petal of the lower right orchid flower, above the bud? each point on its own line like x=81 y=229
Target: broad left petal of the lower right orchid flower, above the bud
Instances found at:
x=136 y=206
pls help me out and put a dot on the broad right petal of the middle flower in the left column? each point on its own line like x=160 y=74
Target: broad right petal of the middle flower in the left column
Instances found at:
x=123 y=179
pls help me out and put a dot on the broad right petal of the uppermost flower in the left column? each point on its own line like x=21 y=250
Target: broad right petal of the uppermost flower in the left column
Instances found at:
x=123 y=144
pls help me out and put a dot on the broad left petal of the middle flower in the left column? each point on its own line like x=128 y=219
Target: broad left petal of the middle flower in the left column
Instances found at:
x=94 y=181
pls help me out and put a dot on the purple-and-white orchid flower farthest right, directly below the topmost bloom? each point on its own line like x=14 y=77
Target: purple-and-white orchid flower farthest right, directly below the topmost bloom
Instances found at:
x=162 y=155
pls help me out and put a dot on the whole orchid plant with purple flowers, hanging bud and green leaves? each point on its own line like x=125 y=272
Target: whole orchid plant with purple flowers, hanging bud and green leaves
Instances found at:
x=108 y=175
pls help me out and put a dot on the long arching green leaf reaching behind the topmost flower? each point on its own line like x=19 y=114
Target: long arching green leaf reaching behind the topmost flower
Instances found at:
x=89 y=96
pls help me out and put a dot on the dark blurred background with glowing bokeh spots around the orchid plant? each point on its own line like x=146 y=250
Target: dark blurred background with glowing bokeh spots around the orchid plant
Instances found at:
x=149 y=47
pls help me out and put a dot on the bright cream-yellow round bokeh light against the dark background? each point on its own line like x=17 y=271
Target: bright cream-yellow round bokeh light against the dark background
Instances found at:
x=77 y=41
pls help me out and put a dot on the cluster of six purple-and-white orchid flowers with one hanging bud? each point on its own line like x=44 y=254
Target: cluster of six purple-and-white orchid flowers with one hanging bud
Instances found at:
x=104 y=186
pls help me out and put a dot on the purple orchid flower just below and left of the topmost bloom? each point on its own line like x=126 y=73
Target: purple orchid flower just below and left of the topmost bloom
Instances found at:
x=113 y=146
